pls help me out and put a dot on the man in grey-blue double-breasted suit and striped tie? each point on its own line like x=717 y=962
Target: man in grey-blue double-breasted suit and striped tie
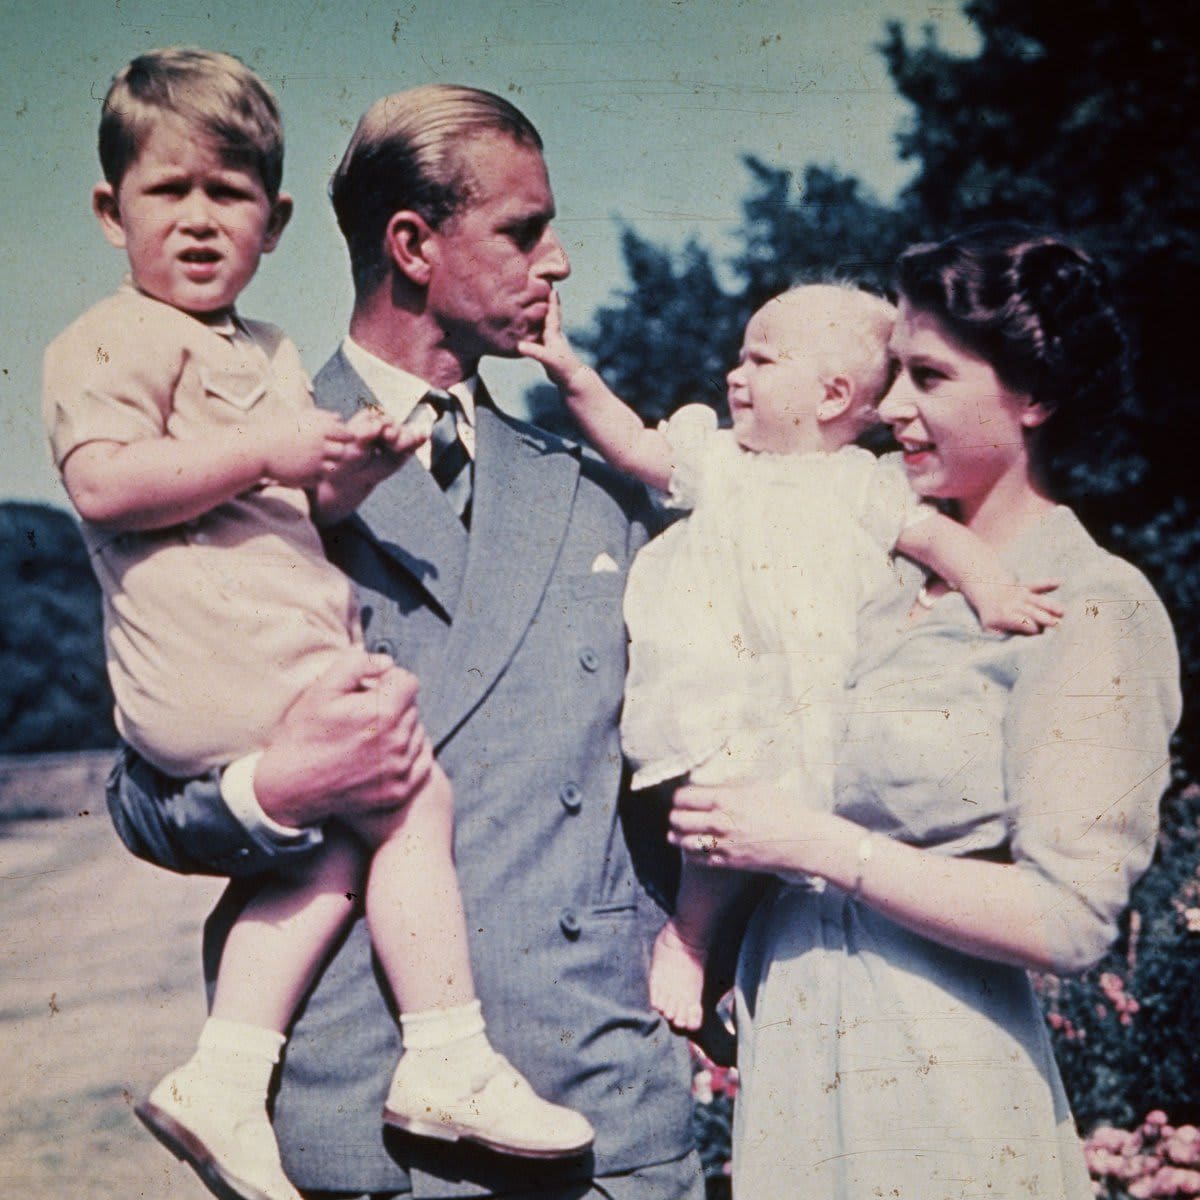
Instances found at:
x=500 y=587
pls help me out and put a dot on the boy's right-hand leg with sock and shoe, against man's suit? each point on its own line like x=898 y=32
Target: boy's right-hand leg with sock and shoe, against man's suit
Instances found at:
x=451 y=1083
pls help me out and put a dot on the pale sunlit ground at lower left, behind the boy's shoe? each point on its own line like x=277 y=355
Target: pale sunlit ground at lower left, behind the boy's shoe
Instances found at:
x=100 y=993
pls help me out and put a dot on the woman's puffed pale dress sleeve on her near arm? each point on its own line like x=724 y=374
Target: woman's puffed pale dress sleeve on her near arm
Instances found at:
x=1087 y=760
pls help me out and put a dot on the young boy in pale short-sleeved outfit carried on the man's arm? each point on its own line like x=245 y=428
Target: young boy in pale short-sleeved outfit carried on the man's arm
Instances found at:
x=189 y=442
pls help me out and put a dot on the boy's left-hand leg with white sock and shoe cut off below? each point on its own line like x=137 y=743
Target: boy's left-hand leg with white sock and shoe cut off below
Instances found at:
x=212 y=1112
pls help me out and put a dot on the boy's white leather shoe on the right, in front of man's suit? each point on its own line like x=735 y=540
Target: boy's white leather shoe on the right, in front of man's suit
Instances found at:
x=497 y=1108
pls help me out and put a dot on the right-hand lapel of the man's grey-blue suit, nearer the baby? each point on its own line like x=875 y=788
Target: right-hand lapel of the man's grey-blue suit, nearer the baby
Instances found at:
x=525 y=488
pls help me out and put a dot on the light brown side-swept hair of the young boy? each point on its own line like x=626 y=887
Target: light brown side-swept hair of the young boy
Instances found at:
x=209 y=92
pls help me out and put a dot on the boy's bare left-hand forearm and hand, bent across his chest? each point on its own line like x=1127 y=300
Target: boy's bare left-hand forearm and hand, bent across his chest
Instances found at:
x=155 y=483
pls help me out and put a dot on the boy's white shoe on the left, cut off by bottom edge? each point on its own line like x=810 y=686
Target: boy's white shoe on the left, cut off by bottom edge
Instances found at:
x=231 y=1147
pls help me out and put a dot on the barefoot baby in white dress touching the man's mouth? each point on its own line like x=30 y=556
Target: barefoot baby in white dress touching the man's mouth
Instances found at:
x=742 y=619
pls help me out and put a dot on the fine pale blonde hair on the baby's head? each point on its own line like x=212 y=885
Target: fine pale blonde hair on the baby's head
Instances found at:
x=853 y=331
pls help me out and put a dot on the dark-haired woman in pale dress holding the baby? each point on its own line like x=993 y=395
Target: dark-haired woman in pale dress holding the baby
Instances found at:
x=997 y=797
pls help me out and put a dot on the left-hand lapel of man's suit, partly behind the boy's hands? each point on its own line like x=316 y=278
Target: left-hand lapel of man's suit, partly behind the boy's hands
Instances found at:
x=407 y=515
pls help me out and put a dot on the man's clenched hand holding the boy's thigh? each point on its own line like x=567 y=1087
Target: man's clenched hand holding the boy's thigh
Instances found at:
x=351 y=743
